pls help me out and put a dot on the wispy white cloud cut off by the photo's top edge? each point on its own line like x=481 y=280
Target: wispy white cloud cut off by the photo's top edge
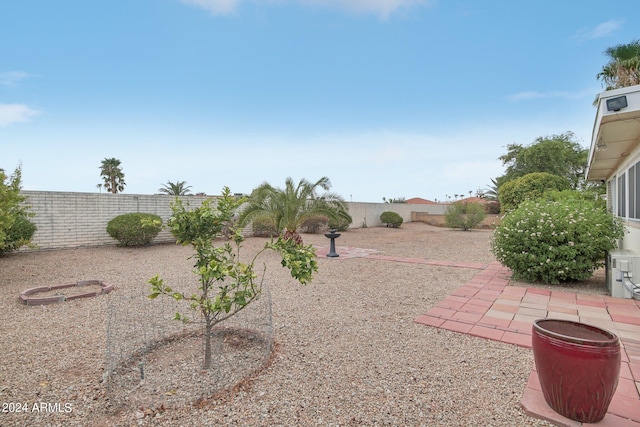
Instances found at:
x=382 y=8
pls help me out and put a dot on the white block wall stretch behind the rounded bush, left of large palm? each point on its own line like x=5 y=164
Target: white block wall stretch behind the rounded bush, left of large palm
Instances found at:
x=72 y=220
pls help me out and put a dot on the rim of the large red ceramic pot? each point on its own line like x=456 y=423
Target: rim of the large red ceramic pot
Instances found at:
x=576 y=332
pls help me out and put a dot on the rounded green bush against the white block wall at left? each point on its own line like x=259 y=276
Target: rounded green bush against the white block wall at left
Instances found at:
x=134 y=229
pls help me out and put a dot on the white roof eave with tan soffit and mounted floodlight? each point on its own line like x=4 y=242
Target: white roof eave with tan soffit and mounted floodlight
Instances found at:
x=615 y=131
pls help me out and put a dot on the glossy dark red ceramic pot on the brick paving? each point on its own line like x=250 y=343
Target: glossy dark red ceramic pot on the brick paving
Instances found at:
x=578 y=366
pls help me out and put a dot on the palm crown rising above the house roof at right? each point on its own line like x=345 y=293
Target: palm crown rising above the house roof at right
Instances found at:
x=623 y=68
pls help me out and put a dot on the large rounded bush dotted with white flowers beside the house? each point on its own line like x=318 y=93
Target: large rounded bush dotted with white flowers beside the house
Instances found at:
x=556 y=241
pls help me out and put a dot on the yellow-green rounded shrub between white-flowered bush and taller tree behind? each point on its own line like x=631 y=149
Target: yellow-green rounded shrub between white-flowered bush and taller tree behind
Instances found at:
x=529 y=187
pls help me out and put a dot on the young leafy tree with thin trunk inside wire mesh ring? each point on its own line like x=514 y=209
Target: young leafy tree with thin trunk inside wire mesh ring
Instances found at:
x=227 y=285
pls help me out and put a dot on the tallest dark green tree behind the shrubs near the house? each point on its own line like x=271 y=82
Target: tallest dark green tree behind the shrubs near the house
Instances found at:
x=559 y=155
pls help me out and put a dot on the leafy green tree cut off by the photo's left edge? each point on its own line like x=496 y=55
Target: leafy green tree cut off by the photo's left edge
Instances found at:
x=15 y=228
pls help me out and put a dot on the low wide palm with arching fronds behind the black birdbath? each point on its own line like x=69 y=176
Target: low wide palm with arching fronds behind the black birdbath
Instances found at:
x=288 y=208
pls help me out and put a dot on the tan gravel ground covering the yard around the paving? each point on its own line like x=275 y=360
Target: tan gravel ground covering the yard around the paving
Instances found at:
x=347 y=350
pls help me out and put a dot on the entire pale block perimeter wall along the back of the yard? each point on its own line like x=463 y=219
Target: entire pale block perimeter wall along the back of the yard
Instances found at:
x=73 y=220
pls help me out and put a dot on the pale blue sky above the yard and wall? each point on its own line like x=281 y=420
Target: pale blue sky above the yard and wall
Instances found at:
x=388 y=98
